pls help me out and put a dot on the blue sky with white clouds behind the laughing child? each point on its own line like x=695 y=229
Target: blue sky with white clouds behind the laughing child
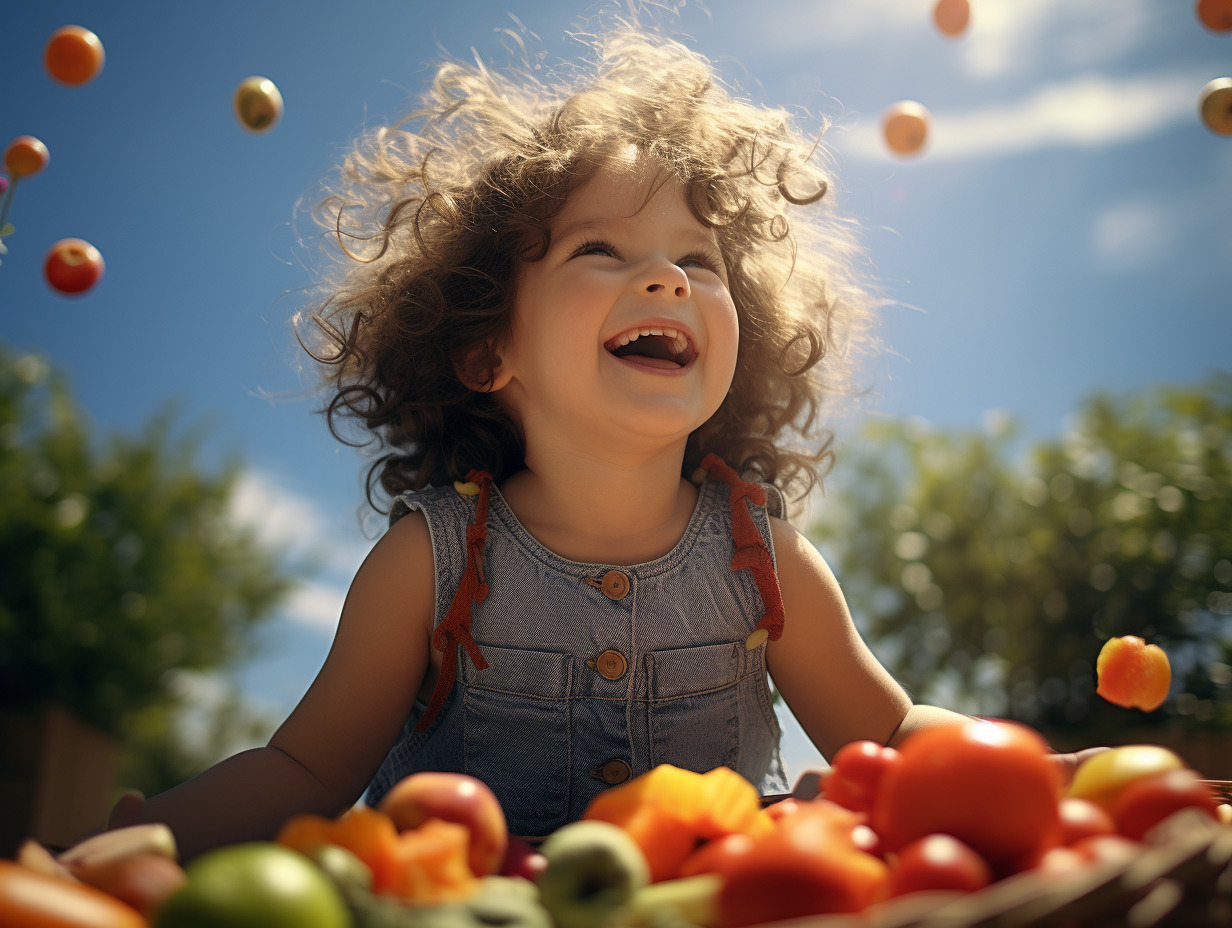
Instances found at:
x=1068 y=229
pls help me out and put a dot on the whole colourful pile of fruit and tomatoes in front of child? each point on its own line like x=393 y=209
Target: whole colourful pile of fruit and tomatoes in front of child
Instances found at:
x=963 y=826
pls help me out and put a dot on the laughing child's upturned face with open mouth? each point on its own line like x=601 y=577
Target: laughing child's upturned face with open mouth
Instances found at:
x=618 y=269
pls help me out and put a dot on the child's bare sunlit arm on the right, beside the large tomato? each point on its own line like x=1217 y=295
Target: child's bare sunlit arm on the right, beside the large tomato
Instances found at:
x=830 y=678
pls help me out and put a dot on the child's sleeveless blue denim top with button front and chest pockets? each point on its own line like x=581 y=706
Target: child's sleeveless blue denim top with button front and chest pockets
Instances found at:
x=539 y=722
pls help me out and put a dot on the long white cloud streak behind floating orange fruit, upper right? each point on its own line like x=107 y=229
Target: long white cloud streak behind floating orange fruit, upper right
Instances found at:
x=1088 y=113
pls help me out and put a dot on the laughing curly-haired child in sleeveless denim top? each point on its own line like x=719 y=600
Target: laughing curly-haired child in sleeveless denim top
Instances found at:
x=583 y=325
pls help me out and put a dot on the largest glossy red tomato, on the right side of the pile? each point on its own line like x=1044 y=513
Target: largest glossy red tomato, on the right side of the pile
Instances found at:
x=992 y=786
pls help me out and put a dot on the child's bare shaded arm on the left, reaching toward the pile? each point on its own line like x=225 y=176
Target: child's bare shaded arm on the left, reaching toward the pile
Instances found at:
x=325 y=755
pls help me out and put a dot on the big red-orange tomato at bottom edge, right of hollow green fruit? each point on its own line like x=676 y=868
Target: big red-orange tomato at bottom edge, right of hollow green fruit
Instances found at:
x=806 y=867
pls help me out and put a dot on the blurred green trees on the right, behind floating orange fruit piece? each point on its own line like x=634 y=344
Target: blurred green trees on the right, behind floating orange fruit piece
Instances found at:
x=989 y=576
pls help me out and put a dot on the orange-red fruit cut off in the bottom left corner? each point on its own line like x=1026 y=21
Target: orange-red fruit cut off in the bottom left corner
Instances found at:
x=34 y=900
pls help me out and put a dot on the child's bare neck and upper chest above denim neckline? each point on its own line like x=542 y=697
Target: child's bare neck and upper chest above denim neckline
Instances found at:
x=603 y=511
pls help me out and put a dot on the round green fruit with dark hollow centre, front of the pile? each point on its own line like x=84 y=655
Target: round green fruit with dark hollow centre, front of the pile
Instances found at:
x=593 y=871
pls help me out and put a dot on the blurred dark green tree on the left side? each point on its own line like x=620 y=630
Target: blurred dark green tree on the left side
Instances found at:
x=121 y=575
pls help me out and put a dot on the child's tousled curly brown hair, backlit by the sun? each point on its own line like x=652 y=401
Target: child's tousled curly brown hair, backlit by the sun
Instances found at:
x=437 y=214
